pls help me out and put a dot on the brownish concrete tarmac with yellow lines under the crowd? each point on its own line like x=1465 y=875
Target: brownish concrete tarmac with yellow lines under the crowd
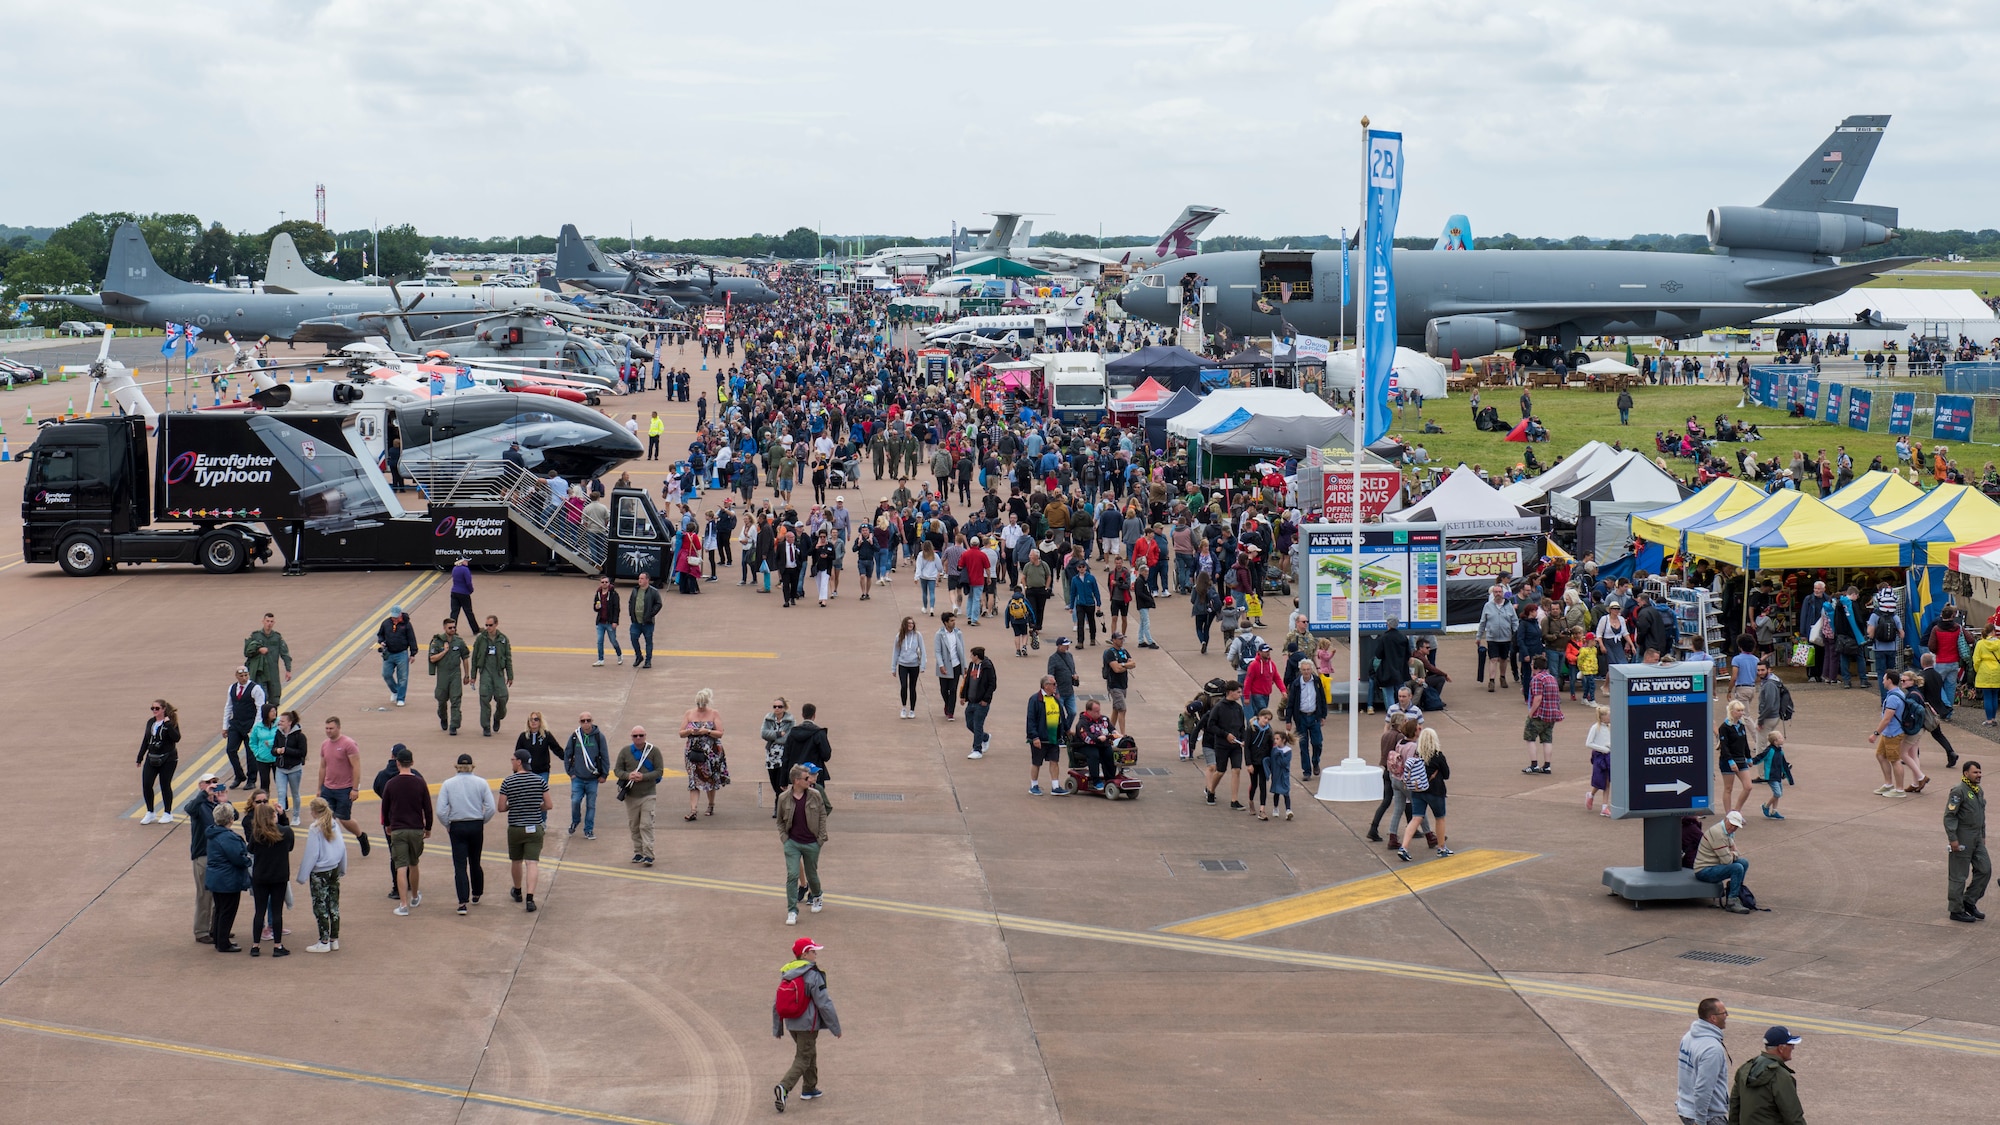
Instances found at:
x=995 y=956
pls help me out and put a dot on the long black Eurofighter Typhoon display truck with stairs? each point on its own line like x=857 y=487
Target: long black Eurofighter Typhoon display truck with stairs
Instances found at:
x=221 y=489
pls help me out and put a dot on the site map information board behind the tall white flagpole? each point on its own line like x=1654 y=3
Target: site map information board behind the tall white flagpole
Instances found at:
x=1401 y=574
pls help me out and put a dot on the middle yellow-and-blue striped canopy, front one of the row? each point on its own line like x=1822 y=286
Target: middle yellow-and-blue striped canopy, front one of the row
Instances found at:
x=1793 y=529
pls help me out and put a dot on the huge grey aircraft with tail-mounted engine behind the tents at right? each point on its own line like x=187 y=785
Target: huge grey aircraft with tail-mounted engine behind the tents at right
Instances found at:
x=1767 y=259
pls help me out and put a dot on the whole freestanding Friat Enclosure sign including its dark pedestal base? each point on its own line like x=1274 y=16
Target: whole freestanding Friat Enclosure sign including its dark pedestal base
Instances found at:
x=1663 y=770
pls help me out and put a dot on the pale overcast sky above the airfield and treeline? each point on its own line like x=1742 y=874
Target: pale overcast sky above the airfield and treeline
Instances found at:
x=509 y=117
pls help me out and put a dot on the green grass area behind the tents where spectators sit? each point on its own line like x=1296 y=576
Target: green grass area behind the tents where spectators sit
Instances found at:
x=1575 y=417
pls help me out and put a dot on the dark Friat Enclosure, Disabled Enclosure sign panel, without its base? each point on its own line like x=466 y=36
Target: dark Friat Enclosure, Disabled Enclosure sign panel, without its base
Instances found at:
x=1663 y=740
